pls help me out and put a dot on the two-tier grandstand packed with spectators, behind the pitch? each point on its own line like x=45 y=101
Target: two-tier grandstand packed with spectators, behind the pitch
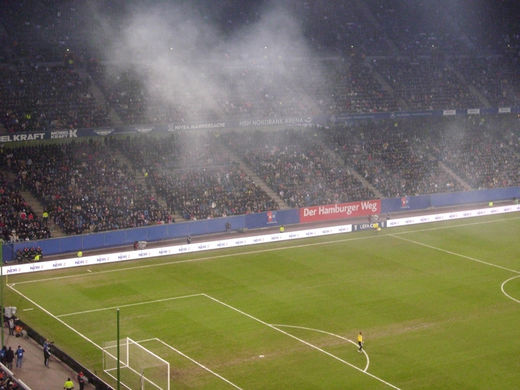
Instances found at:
x=109 y=126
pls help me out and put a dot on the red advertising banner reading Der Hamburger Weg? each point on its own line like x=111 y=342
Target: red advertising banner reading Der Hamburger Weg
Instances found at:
x=341 y=210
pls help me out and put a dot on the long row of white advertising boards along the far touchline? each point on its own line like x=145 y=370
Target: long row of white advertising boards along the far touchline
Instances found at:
x=243 y=241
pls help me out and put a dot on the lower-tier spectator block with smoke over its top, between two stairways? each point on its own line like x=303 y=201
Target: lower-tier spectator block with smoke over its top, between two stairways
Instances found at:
x=195 y=178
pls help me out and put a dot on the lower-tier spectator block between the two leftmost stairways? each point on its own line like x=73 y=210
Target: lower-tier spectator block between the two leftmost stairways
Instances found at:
x=84 y=187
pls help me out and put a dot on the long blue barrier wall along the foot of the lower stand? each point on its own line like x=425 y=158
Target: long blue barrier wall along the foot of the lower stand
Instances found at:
x=250 y=221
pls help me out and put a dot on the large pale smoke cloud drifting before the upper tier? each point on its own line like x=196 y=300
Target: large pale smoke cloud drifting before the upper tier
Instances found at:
x=189 y=62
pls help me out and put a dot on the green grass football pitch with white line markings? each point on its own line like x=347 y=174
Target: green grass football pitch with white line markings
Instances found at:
x=438 y=304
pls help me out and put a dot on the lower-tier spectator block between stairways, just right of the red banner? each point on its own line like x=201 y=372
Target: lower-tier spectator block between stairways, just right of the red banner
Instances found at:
x=393 y=156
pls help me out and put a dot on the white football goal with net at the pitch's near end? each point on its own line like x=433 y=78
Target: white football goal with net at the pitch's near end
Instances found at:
x=140 y=368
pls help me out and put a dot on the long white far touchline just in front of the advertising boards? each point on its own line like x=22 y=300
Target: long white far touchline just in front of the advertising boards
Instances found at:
x=205 y=258
